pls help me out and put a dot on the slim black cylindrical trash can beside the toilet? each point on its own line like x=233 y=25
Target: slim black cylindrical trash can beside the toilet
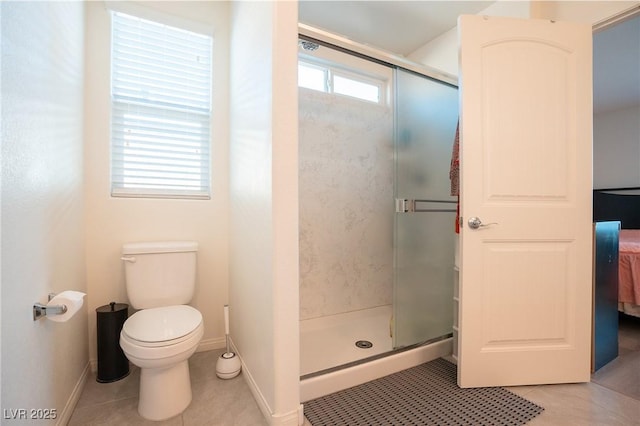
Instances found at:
x=113 y=365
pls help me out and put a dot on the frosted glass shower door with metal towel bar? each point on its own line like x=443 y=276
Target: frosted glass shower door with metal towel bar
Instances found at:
x=424 y=234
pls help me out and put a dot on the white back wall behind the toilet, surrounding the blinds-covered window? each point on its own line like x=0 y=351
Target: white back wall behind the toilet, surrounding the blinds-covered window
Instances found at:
x=110 y=222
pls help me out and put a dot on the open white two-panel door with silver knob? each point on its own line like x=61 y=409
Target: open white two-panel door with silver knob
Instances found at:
x=526 y=274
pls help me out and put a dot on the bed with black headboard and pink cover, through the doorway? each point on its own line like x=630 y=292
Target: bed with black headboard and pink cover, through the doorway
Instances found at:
x=623 y=204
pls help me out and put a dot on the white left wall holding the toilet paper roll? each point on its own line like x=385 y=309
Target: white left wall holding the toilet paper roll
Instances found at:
x=44 y=362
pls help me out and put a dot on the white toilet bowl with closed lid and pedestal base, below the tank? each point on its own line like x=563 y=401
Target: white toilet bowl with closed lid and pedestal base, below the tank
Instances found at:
x=160 y=341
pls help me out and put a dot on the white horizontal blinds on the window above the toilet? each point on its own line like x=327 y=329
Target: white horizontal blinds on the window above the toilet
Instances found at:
x=161 y=110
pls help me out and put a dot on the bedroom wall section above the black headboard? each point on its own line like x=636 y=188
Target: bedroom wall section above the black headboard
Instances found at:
x=616 y=148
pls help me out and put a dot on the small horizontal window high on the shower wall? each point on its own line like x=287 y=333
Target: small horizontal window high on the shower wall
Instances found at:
x=328 y=79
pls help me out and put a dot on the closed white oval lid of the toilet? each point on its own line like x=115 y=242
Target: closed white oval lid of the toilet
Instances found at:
x=162 y=324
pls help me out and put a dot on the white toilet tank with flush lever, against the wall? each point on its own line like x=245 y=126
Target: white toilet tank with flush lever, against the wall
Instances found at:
x=160 y=273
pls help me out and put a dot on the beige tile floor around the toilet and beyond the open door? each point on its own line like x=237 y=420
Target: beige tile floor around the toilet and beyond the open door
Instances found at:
x=229 y=402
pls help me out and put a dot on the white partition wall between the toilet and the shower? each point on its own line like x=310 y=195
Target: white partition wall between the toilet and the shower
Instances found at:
x=264 y=203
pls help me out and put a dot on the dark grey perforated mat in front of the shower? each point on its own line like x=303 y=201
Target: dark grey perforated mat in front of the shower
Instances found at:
x=422 y=395
